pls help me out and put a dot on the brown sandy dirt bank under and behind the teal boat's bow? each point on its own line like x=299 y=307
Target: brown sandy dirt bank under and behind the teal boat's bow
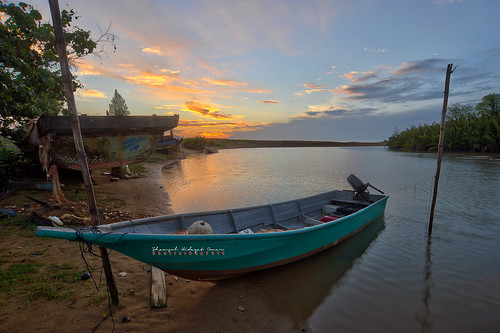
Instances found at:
x=235 y=305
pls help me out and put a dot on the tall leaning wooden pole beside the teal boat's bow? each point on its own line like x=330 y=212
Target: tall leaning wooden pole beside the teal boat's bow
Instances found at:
x=77 y=137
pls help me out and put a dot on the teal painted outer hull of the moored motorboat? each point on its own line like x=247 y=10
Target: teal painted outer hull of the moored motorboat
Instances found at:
x=219 y=256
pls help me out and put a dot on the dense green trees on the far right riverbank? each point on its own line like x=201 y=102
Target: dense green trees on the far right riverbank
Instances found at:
x=468 y=129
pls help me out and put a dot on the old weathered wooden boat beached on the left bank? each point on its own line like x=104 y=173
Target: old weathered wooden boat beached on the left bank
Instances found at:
x=109 y=141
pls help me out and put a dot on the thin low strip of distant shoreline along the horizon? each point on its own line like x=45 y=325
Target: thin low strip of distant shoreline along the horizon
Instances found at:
x=232 y=143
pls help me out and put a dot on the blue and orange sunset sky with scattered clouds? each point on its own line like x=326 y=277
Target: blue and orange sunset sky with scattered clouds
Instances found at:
x=289 y=70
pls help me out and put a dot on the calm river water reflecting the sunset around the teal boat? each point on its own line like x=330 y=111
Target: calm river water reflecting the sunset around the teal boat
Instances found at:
x=389 y=278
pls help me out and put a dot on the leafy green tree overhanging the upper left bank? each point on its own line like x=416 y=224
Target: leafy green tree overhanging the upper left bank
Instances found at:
x=30 y=74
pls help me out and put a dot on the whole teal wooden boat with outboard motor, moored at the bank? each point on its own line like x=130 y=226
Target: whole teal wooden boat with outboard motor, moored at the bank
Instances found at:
x=243 y=240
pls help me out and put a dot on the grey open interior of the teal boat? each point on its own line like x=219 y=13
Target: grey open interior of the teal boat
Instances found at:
x=289 y=215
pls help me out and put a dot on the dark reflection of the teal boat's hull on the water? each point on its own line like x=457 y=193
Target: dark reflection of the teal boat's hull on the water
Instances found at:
x=297 y=289
